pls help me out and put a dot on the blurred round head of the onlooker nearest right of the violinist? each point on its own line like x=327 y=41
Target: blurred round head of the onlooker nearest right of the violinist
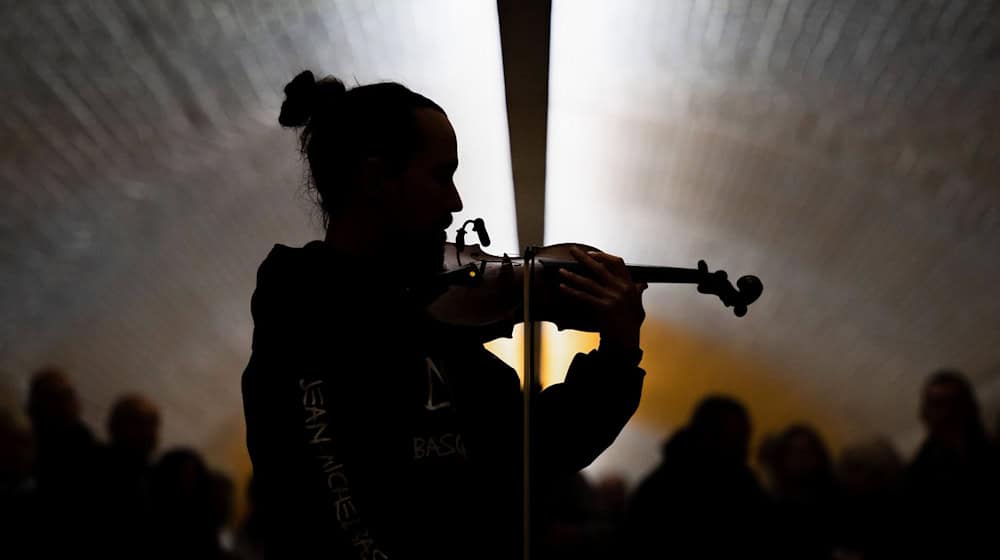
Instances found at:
x=721 y=426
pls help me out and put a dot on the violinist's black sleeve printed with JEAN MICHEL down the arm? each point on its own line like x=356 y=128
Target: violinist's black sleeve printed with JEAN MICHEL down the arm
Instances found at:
x=296 y=445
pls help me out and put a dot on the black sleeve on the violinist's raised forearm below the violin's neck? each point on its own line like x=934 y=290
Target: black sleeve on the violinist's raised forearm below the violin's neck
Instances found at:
x=576 y=420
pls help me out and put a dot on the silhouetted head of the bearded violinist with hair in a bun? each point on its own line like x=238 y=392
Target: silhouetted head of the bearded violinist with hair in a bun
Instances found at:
x=378 y=153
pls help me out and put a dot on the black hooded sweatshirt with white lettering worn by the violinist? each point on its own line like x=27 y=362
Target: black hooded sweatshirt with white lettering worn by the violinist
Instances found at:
x=374 y=433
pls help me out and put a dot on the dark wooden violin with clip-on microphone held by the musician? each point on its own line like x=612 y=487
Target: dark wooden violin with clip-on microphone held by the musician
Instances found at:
x=485 y=293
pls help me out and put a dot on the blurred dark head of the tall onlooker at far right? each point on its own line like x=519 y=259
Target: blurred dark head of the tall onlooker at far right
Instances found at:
x=950 y=410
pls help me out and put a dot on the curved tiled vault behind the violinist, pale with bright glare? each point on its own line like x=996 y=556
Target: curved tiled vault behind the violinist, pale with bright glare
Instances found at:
x=845 y=151
